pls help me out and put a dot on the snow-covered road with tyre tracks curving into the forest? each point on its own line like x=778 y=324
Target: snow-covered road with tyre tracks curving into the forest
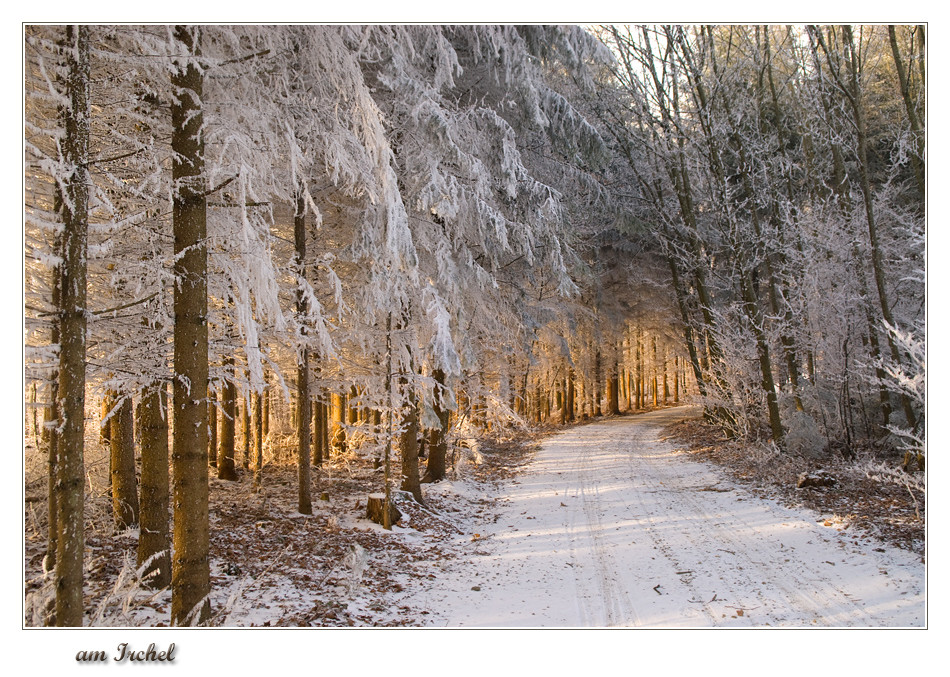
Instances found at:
x=609 y=526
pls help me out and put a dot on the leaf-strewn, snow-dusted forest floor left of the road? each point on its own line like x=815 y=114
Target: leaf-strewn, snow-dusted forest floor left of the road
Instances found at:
x=270 y=565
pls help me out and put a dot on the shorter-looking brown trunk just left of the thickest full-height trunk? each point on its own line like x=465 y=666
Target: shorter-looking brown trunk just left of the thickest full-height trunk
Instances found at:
x=154 y=550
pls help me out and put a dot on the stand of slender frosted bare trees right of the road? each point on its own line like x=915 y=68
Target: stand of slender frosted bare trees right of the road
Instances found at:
x=752 y=134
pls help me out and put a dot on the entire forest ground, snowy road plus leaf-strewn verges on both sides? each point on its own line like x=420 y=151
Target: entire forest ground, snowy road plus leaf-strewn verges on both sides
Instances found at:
x=648 y=520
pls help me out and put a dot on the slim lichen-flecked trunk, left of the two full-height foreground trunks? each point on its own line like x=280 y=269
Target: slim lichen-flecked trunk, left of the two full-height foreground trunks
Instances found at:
x=72 y=355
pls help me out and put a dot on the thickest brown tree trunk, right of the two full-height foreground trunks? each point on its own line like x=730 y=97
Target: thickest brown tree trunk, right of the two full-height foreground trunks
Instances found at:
x=191 y=582
